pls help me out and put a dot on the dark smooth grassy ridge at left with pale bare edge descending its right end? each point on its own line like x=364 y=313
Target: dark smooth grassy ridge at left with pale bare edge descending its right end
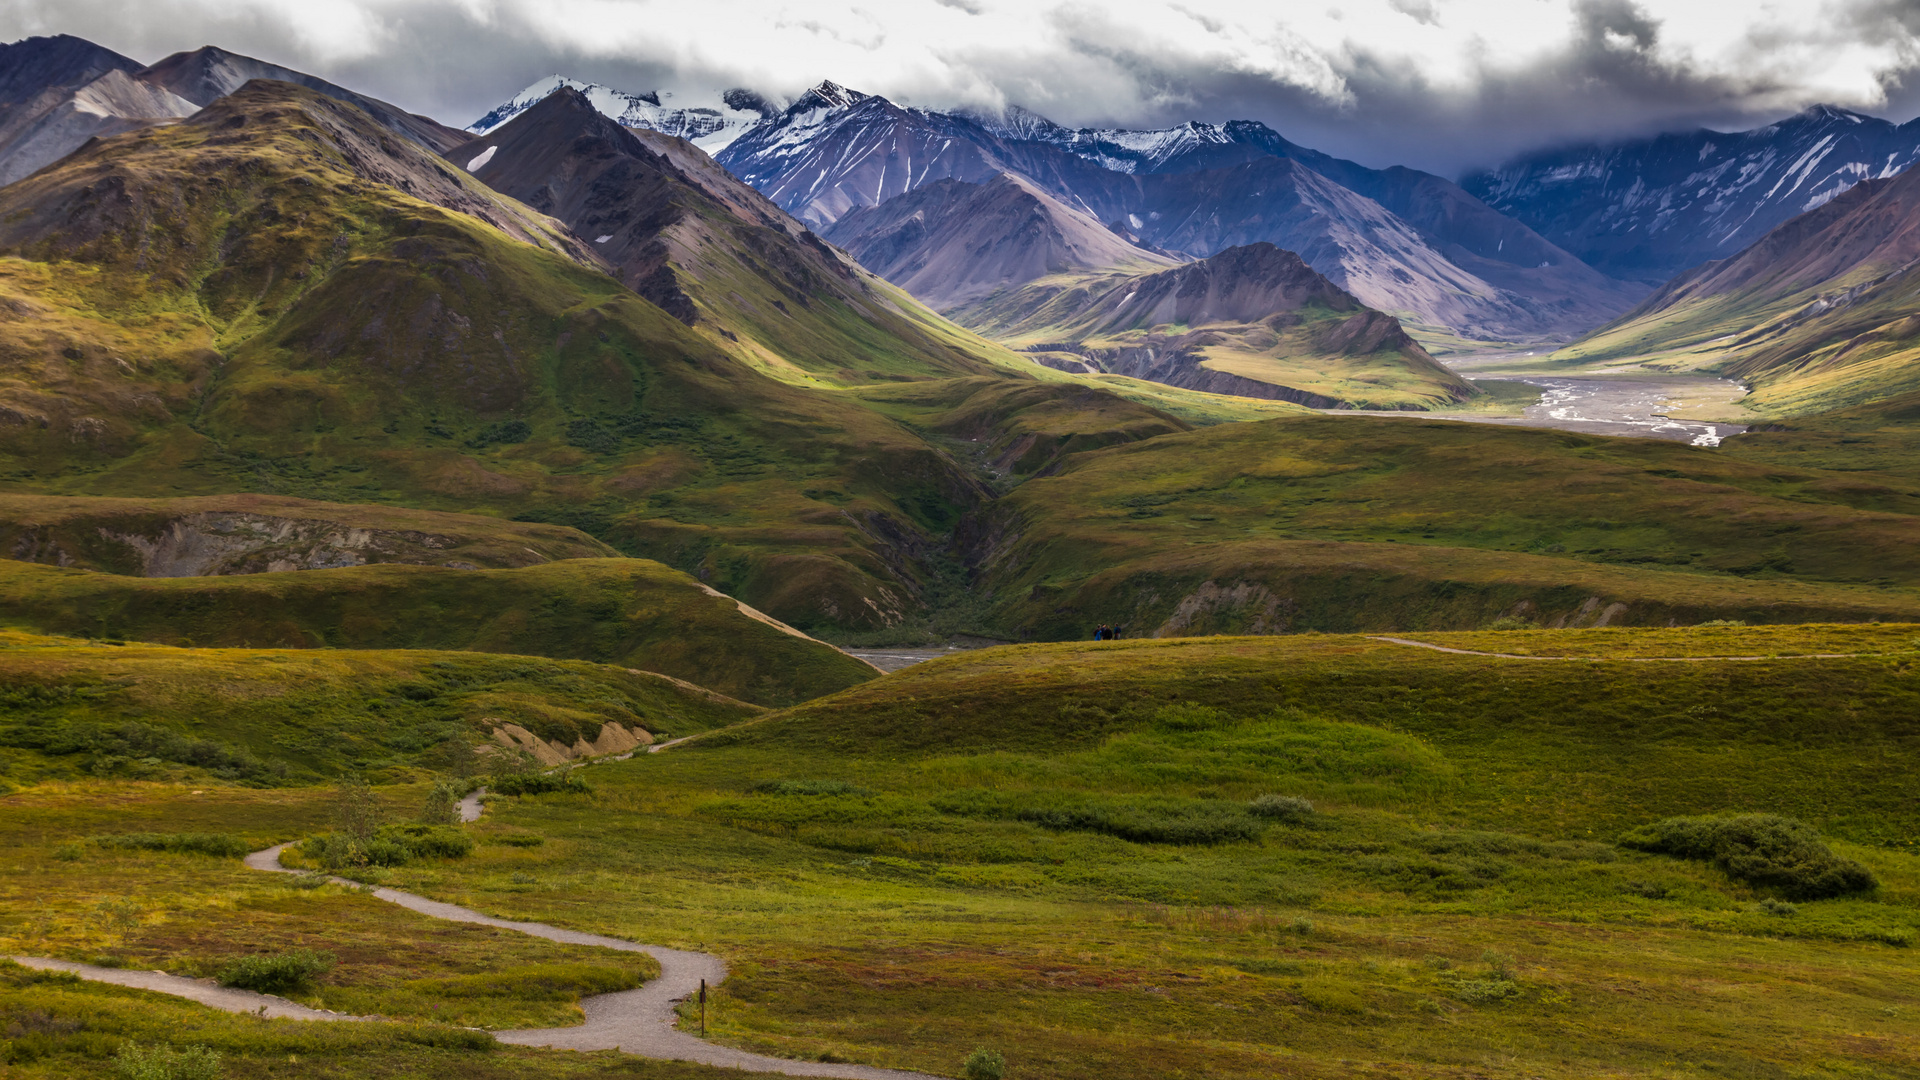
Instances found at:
x=625 y=612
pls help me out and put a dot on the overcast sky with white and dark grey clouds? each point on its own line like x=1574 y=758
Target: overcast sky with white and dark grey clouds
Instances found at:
x=1441 y=86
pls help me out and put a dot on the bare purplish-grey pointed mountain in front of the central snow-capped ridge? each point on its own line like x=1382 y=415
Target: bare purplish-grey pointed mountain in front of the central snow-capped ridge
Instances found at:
x=953 y=243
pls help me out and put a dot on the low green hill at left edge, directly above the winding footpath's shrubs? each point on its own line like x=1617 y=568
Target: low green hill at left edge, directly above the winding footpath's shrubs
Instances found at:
x=264 y=718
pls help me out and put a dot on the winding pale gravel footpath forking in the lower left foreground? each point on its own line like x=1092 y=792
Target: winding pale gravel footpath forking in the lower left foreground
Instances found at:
x=633 y=1021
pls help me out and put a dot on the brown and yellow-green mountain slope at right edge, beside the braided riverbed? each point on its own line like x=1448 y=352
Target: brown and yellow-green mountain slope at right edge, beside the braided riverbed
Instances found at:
x=1815 y=316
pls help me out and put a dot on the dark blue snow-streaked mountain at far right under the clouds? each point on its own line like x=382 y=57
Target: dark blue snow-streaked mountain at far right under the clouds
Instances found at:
x=1652 y=209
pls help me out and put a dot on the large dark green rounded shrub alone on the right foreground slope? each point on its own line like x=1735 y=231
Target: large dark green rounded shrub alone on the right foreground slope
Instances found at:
x=1762 y=850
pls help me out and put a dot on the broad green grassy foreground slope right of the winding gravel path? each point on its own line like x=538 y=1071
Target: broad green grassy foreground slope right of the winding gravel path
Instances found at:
x=1466 y=812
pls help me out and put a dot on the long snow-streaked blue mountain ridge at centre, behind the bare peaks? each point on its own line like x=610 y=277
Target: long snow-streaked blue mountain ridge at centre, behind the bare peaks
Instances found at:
x=1399 y=239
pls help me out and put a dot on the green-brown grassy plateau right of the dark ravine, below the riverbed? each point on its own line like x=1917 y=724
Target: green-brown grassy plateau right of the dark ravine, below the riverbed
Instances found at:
x=1345 y=524
